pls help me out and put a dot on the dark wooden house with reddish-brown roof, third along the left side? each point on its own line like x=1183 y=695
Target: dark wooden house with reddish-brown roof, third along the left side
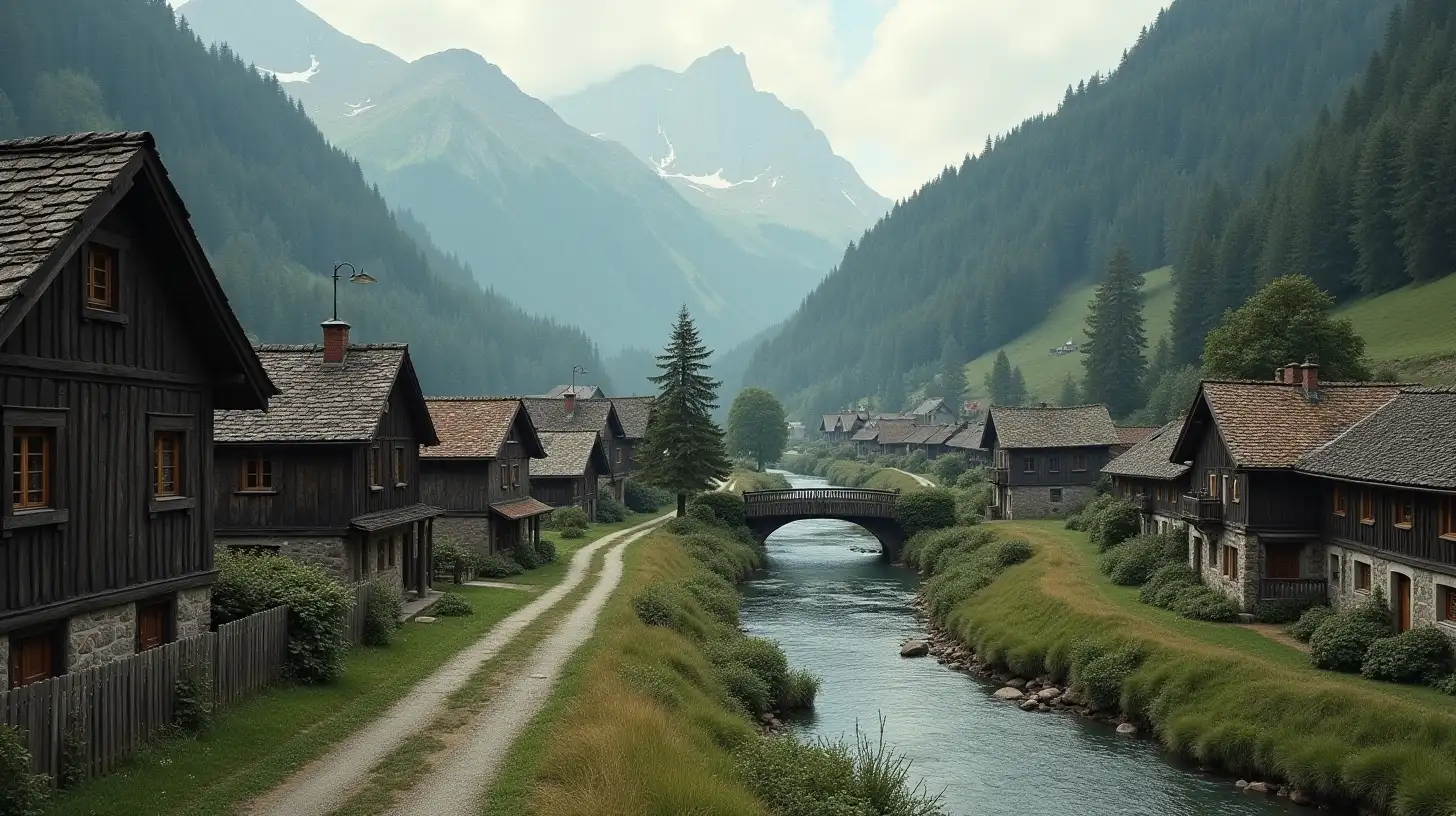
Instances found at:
x=481 y=473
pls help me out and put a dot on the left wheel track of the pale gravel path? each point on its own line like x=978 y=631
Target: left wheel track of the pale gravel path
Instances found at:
x=328 y=782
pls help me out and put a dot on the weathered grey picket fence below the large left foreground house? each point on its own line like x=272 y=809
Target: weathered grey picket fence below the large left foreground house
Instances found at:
x=114 y=709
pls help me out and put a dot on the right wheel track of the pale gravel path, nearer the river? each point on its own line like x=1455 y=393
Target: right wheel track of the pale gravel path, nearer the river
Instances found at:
x=461 y=779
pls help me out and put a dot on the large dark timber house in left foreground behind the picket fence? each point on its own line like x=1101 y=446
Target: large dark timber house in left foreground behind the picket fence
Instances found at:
x=116 y=346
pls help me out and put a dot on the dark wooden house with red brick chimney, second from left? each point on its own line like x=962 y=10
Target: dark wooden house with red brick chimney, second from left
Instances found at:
x=330 y=474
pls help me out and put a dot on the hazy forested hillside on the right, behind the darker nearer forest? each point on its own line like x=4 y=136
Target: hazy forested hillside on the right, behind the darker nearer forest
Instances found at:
x=1214 y=93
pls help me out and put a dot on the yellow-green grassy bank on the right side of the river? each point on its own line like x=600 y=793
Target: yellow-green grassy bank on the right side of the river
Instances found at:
x=1219 y=694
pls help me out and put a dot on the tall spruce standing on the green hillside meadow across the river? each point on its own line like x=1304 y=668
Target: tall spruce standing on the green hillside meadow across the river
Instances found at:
x=1115 y=361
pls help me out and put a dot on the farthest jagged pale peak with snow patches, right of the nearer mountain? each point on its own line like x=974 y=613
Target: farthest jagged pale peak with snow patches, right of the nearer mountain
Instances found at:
x=730 y=148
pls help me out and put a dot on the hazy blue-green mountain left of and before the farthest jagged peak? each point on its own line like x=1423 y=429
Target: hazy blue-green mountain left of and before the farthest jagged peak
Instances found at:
x=567 y=225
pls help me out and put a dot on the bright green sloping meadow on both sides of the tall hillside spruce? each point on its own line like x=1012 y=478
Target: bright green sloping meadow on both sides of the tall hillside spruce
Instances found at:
x=1045 y=372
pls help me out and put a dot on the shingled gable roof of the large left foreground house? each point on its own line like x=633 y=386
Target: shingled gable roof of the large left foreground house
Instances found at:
x=55 y=192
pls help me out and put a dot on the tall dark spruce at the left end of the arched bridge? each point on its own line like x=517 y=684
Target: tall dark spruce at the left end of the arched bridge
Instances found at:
x=684 y=450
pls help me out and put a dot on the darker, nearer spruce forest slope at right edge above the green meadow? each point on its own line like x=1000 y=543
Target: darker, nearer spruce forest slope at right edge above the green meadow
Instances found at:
x=1368 y=203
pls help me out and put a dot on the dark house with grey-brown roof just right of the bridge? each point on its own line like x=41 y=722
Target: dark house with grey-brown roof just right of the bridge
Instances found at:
x=1046 y=461
